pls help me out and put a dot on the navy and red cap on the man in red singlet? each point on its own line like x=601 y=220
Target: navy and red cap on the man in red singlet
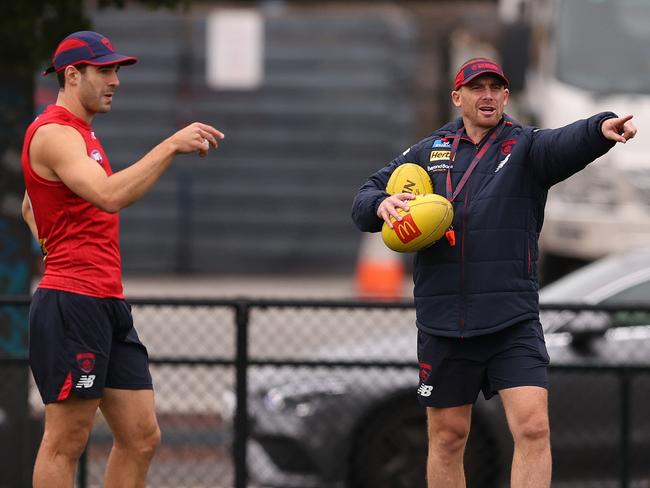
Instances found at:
x=86 y=47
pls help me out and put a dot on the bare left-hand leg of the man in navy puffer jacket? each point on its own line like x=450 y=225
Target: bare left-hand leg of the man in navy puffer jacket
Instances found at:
x=448 y=429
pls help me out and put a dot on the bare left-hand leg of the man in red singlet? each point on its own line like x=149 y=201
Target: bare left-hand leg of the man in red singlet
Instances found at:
x=67 y=427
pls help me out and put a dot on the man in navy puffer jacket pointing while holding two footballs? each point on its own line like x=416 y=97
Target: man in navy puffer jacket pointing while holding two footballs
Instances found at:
x=476 y=292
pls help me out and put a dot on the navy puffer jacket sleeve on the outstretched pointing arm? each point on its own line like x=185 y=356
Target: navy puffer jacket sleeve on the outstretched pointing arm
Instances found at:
x=556 y=154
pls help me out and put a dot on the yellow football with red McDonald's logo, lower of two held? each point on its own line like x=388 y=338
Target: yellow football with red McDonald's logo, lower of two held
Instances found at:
x=428 y=218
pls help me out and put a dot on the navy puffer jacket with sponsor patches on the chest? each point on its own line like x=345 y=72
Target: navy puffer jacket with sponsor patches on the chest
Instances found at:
x=488 y=280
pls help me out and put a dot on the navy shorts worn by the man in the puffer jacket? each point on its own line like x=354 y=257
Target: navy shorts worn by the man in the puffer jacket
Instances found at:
x=454 y=370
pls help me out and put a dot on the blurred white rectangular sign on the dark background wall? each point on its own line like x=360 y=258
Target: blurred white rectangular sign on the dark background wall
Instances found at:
x=235 y=49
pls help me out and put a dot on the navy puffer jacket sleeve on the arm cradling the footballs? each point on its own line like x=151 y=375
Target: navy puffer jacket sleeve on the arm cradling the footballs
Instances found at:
x=370 y=195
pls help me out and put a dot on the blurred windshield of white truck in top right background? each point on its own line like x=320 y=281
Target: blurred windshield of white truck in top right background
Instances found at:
x=603 y=45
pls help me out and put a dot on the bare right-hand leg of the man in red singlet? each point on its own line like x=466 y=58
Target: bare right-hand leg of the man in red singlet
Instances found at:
x=132 y=419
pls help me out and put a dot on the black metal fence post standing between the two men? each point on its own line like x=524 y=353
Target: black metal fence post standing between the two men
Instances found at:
x=241 y=392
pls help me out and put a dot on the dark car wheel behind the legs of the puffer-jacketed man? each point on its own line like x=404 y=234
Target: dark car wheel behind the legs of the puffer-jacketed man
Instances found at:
x=391 y=449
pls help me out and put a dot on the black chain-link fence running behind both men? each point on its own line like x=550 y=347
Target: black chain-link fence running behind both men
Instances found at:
x=322 y=394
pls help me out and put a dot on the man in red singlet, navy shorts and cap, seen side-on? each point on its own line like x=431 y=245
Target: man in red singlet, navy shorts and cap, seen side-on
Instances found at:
x=84 y=351
